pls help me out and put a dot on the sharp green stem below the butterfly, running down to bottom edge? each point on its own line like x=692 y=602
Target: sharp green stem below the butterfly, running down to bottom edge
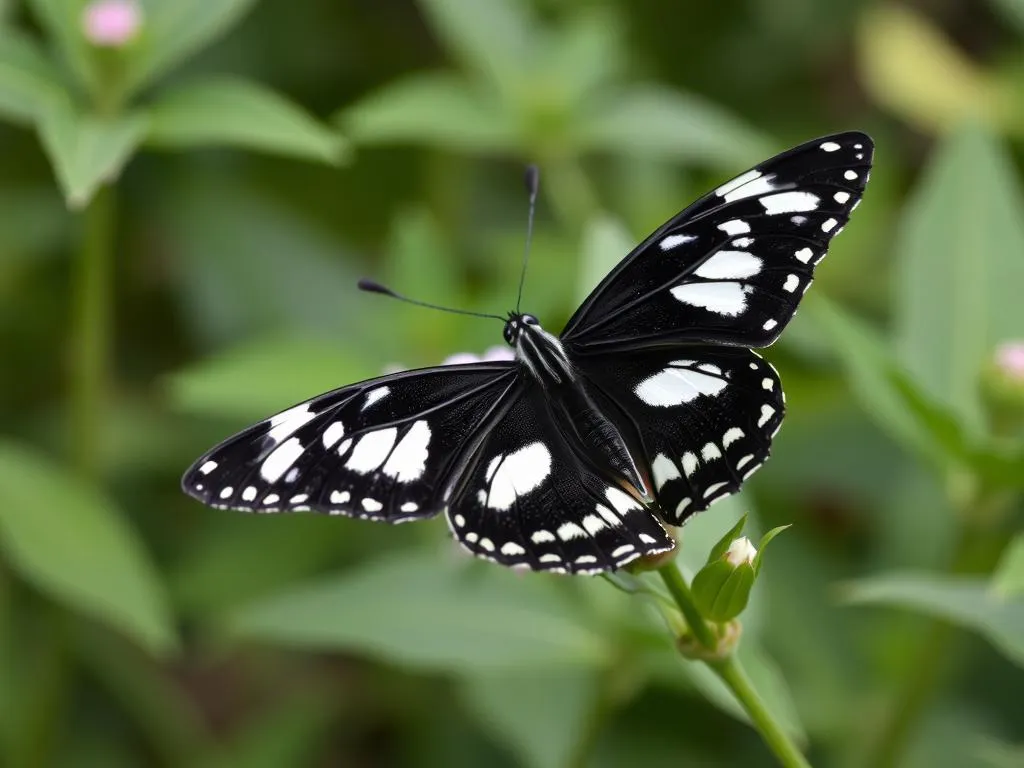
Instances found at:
x=730 y=670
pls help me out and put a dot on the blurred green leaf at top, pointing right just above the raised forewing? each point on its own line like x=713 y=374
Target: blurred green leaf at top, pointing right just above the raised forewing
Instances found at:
x=650 y=120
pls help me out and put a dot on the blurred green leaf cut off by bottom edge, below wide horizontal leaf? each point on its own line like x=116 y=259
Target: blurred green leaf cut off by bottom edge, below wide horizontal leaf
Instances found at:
x=542 y=731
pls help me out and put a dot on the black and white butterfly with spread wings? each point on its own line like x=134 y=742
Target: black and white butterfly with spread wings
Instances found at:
x=574 y=457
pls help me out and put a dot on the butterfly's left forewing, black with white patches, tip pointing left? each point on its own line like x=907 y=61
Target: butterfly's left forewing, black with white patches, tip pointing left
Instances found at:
x=388 y=449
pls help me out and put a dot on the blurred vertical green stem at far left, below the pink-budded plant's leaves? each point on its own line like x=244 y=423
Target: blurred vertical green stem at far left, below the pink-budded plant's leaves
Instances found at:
x=92 y=329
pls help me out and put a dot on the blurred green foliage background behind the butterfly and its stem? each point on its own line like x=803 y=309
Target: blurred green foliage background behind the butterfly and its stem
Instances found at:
x=186 y=202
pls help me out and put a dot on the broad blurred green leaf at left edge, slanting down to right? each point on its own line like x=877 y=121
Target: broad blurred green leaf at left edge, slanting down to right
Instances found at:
x=73 y=545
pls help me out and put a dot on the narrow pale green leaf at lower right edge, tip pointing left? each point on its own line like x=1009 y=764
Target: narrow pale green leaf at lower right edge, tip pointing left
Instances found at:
x=967 y=603
